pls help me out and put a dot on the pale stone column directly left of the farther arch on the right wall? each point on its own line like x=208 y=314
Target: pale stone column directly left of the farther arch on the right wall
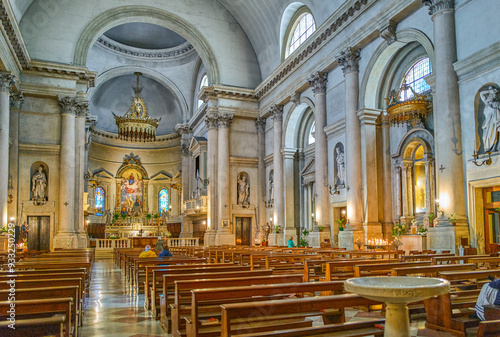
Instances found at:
x=279 y=207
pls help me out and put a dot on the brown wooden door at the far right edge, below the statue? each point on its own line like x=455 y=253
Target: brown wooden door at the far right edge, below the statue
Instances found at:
x=491 y=198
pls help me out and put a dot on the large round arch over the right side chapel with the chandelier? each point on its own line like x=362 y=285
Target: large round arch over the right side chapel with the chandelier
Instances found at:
x=376 y=70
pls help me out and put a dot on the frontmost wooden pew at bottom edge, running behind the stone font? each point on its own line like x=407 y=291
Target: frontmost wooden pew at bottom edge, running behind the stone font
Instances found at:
x=255 y=312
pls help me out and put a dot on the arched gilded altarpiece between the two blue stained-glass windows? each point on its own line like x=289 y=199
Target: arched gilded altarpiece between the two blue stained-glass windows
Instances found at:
x=132 y=187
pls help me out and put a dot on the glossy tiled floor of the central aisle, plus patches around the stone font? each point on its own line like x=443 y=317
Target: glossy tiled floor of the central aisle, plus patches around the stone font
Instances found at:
x=113 y=310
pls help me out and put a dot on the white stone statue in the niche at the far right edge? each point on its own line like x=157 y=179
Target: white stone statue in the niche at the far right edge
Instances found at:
x=491 y=124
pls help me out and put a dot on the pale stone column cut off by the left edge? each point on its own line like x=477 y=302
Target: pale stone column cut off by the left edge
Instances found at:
x=6 y=82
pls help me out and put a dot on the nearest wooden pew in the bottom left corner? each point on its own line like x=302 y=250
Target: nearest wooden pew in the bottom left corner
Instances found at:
x=29 y=308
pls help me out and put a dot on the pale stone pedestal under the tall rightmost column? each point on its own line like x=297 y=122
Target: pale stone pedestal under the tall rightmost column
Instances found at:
x=446 y=238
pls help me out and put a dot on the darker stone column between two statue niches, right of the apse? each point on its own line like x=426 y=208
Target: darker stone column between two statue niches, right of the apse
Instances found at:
x=260 y=124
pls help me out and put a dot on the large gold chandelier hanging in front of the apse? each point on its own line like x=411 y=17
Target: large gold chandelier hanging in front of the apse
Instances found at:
x=136 y=125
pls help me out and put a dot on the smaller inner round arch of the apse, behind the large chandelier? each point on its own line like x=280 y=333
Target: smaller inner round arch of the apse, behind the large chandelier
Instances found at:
x=160 y=78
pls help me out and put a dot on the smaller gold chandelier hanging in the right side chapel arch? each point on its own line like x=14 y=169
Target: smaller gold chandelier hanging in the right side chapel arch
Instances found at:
x=405 y=111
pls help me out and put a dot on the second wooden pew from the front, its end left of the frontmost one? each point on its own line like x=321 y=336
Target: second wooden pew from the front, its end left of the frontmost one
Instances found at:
x=204 y=299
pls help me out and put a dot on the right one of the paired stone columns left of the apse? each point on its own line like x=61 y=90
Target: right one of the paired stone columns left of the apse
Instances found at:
x=81 y=115
